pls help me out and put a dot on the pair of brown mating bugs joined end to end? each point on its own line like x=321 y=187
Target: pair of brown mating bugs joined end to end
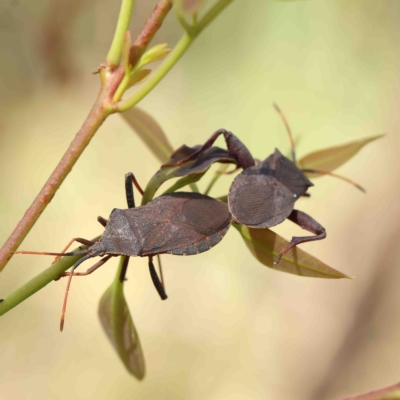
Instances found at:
x=261 y=196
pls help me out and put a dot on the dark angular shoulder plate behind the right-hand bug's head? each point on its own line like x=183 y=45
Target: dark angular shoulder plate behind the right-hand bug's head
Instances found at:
x=286 y=172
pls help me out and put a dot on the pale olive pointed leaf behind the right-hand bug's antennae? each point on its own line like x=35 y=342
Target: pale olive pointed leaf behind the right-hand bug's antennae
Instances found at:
x=329 y=159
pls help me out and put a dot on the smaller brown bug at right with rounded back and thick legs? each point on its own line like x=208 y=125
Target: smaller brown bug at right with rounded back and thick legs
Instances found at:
x=263 y=195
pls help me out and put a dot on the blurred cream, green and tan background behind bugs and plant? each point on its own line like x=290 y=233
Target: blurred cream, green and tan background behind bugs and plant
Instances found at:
x=231 y=328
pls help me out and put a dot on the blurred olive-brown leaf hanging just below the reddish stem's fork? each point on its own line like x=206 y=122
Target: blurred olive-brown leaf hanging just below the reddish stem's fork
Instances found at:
x=150 y=132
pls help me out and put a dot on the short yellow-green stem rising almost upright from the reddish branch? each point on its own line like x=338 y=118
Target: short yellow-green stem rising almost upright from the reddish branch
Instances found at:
x=114 y=55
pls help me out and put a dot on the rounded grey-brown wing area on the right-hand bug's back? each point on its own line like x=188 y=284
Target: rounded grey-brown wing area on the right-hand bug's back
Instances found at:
x=259 y=200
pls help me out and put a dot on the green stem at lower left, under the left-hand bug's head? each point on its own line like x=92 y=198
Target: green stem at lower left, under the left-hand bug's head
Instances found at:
x=39 y=281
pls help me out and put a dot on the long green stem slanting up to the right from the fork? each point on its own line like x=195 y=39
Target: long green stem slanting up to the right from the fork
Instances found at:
x=173 y=57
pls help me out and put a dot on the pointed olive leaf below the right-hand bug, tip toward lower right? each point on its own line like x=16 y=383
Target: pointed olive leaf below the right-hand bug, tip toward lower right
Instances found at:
x=265 y=245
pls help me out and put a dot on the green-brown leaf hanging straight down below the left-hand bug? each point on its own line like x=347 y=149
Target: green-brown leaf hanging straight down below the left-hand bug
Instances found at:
x=117 y=322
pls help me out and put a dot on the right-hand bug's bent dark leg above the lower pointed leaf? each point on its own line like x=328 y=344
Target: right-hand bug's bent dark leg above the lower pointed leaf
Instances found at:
x=306 y=222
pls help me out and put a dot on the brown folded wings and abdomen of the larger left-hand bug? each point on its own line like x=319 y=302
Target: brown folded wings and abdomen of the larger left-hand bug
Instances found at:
x=180 y=223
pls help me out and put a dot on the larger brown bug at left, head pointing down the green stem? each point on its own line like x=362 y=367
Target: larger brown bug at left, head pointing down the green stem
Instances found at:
x=176 y=223
